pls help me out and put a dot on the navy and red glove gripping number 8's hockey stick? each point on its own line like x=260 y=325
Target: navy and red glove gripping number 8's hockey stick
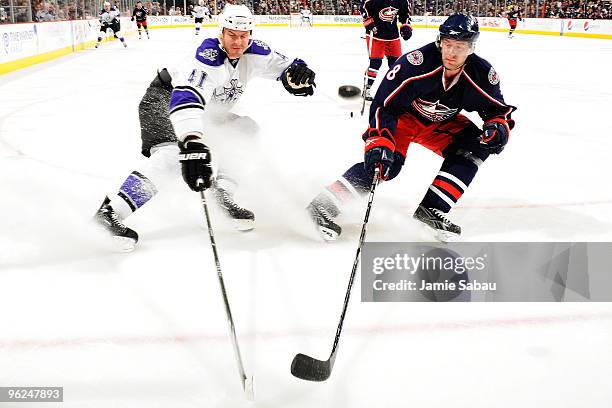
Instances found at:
x=379 y=149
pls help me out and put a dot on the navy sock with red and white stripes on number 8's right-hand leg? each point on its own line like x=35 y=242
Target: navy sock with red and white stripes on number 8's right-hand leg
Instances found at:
x=456 y=174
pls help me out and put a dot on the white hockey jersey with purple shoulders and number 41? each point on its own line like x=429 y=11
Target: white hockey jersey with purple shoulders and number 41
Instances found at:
x=211 y=79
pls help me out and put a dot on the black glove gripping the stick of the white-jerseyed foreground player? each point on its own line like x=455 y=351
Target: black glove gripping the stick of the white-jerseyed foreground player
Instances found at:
x=195 y=161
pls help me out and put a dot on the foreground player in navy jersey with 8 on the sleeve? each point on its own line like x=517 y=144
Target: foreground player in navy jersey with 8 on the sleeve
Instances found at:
x=419 y=102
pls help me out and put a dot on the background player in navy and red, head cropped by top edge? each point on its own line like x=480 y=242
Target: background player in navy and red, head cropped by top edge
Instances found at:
x=380 y=19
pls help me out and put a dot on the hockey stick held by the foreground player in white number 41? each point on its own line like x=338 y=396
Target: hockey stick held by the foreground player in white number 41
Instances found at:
x=247 y=382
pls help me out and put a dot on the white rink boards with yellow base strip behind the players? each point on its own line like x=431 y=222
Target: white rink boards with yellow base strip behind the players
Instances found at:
x=27 y=44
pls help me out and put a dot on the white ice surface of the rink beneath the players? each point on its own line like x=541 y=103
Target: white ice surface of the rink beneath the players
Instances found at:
x=147 y=329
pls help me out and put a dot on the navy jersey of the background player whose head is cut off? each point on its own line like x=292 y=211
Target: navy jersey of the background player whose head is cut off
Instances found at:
x=386 y=14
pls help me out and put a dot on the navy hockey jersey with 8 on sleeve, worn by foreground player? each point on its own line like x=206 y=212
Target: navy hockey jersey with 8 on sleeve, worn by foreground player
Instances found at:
x=416 y=85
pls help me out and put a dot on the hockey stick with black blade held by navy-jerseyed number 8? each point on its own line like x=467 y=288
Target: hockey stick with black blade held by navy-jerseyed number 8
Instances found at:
x=309 y=368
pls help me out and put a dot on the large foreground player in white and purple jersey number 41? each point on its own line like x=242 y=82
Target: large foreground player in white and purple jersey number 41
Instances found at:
x=213 y=79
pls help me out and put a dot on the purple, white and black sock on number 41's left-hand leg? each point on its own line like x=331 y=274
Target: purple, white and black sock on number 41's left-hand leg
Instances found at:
x=135 y=192
